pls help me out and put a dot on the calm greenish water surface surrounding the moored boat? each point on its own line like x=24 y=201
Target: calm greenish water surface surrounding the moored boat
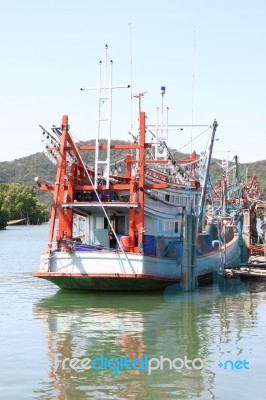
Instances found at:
x=41 y=327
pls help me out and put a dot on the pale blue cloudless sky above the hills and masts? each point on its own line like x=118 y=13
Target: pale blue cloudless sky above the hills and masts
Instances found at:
x=210 y=56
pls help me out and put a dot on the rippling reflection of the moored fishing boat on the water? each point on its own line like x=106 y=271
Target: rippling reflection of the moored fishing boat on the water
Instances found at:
x=138 y=325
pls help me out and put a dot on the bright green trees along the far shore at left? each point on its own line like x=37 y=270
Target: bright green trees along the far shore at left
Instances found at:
x=19 y=201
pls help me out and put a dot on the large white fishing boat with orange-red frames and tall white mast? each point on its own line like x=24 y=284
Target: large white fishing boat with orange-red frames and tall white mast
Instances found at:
x=130 y=222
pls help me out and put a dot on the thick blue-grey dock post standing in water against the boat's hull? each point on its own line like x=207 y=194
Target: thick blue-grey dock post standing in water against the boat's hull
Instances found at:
x=188 y=275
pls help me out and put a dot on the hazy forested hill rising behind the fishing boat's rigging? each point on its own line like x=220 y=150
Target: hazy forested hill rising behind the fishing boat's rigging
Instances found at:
x=24 y=170
